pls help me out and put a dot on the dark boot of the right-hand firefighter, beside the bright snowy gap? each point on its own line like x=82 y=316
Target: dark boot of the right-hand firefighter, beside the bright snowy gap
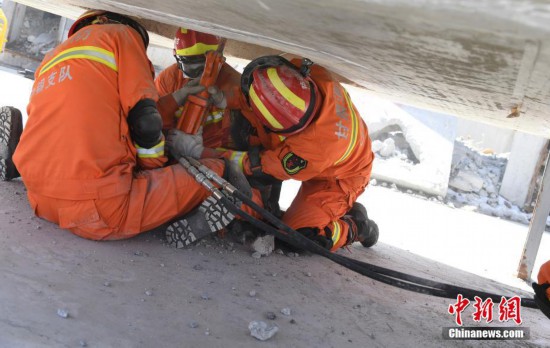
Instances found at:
x=362 y=229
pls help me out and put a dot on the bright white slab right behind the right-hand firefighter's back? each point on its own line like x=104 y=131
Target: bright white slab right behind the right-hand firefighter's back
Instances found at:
x=419 y=127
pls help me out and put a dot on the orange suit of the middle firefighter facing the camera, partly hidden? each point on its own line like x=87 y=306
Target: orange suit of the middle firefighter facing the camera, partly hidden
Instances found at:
x=216 y=131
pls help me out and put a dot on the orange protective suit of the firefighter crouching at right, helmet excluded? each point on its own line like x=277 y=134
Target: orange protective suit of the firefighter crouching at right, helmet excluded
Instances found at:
x=332 y=157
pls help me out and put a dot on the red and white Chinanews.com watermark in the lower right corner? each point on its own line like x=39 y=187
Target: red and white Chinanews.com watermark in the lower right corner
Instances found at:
x=509 y=311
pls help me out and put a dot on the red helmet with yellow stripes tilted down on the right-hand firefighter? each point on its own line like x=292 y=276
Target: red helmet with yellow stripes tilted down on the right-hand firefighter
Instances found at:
x=283 y=98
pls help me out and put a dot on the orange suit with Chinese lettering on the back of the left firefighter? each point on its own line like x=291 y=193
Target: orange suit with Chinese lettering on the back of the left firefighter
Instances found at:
x=76 y=157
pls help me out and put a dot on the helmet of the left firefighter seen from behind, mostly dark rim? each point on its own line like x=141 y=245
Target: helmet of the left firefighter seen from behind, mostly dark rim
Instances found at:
x=101 y=17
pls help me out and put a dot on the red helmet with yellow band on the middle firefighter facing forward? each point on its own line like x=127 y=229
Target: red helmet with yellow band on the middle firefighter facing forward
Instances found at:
x=190 y=44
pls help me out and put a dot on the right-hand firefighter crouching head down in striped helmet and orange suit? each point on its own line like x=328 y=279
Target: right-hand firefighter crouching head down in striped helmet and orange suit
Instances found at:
x=309 y=130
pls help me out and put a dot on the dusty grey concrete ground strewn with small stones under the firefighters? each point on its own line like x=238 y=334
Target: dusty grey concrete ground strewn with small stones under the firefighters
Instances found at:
x=142 y=293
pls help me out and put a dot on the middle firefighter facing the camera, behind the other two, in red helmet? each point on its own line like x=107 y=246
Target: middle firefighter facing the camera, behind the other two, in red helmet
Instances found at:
x=190 y=48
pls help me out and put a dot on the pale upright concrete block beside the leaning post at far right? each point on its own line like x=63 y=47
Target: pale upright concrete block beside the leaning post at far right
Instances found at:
x=524 y=156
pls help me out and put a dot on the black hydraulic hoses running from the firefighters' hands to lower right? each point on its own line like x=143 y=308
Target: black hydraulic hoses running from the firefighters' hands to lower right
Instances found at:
x=289 y=235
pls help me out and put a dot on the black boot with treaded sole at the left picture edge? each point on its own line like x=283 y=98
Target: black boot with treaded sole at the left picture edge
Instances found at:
x=11 y=127
